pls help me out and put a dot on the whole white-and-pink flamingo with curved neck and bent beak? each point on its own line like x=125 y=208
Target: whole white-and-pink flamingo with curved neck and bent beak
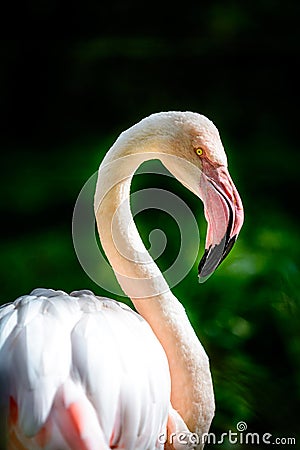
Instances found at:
x=84 y=372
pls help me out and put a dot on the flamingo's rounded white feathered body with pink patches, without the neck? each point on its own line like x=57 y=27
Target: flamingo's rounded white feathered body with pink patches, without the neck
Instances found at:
x=72 y=382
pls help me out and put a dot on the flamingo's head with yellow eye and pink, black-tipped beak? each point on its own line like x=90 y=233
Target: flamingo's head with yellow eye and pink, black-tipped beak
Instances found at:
x=202 y=168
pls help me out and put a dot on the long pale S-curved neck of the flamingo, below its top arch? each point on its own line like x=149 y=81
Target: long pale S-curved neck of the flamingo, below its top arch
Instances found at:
x=142 y=281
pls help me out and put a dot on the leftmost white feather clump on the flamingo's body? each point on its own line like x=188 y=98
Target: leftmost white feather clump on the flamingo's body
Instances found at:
x=31 y=360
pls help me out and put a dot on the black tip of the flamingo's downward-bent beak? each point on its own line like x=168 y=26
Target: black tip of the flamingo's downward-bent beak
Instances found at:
x=213 y=256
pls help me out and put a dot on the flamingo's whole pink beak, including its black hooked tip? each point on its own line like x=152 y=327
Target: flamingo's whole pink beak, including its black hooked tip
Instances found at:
x=224 y=214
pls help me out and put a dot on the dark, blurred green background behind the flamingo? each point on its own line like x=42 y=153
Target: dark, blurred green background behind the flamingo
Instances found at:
x=64 y=101
